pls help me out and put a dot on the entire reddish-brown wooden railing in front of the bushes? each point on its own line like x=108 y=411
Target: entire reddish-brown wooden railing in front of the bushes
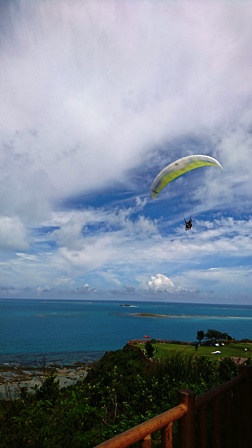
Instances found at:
x=219 y=418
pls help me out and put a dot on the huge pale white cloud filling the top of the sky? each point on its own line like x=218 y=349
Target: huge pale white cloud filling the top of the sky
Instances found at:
x=87 y=91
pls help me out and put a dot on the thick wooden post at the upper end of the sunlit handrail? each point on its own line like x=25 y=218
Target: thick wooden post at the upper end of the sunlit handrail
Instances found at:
x=187 y=422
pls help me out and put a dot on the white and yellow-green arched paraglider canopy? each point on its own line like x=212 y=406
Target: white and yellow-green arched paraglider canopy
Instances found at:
x=179 y=167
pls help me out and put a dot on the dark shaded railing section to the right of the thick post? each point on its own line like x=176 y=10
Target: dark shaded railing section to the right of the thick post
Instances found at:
x=230 y=412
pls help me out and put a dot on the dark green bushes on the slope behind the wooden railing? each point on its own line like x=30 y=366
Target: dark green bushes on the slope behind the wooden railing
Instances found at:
x=121 y=390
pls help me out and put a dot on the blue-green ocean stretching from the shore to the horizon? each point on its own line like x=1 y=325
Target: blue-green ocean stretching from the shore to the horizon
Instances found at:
x=64 y=332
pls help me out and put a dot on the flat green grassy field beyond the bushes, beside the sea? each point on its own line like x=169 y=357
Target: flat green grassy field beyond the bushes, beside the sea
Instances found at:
x=233 y=349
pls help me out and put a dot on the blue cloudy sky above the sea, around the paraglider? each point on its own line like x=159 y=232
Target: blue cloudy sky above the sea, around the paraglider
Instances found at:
x=96 y=97
